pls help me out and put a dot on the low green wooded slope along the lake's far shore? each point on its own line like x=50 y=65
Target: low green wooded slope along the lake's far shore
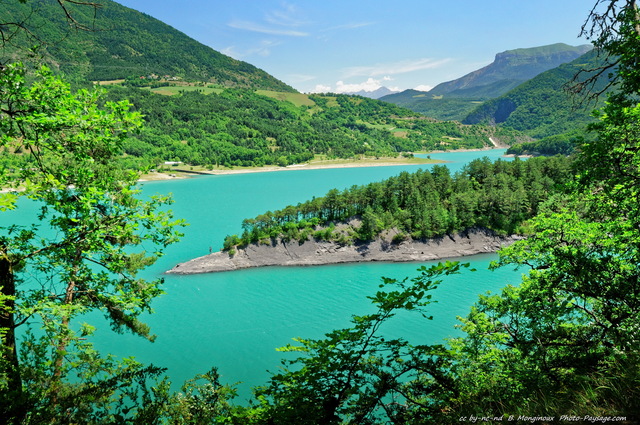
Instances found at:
x=235 y=127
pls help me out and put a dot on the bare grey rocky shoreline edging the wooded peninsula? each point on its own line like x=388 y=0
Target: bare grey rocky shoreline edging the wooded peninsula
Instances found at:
x=311 y=253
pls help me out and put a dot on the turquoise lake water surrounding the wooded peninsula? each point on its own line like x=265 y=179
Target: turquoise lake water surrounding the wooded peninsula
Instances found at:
x=235 y=320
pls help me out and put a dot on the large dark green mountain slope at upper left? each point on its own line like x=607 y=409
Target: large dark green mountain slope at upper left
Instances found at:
x=122 y=43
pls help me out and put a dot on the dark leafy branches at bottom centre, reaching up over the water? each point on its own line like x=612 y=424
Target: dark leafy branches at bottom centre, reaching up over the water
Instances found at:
x=358 y=375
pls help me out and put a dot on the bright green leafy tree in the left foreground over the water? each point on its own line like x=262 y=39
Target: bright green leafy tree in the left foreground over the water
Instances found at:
x=90 y=236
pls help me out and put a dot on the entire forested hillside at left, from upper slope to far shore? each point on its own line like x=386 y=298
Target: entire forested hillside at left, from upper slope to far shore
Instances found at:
x=231 y=114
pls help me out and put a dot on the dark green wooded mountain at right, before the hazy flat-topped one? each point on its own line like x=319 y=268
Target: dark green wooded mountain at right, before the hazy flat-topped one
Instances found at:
x=541 y=107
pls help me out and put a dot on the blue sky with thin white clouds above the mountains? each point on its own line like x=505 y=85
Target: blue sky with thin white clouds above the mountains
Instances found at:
x=347 y=45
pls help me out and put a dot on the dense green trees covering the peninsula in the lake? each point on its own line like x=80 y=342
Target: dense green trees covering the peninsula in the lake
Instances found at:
x=497 y=195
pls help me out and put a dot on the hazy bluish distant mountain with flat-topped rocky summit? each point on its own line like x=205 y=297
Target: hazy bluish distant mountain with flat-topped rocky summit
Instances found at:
x=454 y=100
